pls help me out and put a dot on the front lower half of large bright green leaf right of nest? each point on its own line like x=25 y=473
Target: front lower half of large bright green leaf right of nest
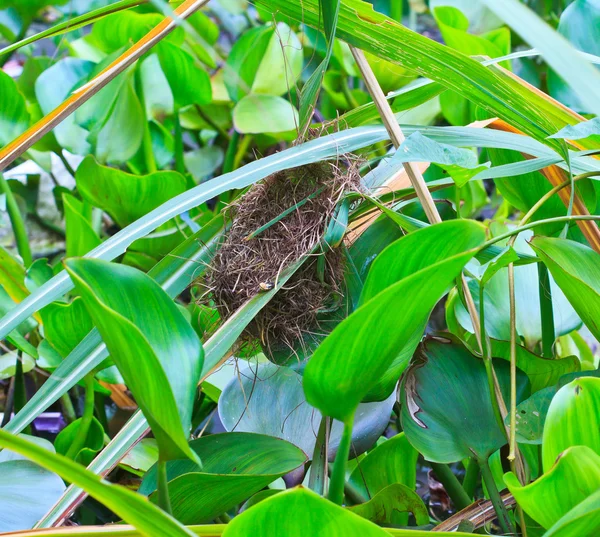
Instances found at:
x=352 y=359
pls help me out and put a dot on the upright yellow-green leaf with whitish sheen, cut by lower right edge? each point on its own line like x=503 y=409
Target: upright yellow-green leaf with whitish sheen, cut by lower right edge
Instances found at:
x=575 y=404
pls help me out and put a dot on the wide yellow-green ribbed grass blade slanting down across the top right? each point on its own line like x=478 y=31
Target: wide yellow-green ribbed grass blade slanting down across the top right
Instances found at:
x=360 y=26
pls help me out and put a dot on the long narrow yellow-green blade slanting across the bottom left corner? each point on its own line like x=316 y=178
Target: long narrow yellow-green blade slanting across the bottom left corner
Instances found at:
x=132 y=508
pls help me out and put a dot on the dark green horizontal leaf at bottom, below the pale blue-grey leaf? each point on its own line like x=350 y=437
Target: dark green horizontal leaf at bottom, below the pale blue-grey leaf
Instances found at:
x=235 y=466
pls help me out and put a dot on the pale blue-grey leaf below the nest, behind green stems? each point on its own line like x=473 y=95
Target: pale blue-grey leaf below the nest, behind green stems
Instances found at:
x=268 y=399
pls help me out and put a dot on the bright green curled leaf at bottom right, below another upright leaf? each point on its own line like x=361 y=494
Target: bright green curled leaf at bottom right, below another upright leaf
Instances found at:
x=550 y=497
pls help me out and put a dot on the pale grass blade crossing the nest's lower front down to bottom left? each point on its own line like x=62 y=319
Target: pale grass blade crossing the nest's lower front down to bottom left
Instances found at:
x=215 y=349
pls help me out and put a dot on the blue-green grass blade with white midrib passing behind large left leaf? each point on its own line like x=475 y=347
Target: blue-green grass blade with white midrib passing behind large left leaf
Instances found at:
x=174 y=273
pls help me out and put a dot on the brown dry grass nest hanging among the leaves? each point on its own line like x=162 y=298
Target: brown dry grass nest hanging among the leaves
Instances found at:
x=245 y=266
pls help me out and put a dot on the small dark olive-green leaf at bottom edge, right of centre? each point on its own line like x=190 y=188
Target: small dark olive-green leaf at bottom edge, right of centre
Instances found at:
x=388 y=505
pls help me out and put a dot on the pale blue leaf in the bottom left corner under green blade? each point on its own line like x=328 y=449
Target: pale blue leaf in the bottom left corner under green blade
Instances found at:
x=26 y=493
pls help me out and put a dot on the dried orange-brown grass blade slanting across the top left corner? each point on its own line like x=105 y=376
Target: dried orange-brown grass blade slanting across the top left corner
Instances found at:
x=24 y=142
